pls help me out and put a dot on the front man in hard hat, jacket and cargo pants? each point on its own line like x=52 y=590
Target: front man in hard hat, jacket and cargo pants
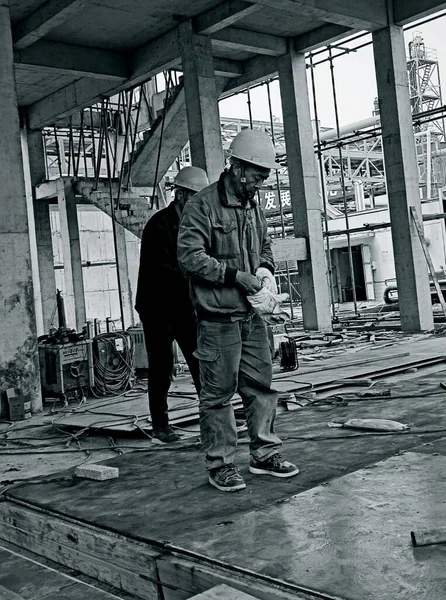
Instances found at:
x=224 y=248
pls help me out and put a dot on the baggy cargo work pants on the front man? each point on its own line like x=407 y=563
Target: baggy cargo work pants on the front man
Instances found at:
x=235 y=356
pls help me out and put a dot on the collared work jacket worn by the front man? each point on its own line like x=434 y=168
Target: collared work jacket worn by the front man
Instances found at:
x=218 y=237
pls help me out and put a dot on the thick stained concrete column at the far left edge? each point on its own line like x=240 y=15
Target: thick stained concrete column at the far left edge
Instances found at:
x=18 y=341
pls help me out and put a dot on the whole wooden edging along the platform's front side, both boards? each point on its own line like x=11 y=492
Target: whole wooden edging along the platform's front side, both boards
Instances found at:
x=116 y=560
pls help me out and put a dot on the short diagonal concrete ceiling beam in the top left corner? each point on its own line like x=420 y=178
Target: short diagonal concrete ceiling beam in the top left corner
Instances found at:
x=43 y=20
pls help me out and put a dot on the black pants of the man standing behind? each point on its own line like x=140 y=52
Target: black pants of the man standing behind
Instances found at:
x=160 y=330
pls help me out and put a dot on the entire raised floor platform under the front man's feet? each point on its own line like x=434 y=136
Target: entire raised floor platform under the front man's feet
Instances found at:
x=342 y=527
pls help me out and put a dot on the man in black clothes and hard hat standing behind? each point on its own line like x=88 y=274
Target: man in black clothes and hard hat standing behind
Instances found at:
x=163 y=302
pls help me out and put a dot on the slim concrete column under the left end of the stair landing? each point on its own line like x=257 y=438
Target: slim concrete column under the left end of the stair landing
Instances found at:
x=73 y=293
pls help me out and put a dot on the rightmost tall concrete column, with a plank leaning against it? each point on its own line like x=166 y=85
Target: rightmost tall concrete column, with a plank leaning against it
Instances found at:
x=402 y=178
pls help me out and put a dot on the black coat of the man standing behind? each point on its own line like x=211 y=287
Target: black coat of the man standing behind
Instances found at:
x=162 y=287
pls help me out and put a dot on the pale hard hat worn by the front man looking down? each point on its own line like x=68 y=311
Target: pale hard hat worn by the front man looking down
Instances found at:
x=255 y=147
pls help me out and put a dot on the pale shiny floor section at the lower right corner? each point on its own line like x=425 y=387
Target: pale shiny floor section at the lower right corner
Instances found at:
x=349 y=537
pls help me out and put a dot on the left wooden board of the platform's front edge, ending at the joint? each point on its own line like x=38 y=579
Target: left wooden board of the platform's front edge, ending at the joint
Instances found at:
x=107 y=557
